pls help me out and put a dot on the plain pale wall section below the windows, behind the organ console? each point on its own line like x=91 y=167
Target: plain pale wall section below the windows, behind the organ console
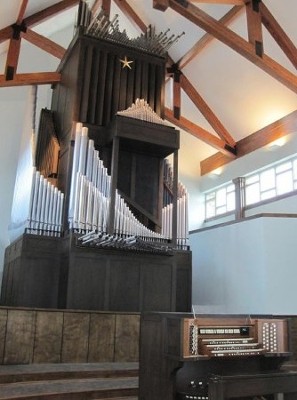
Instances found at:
x=247 y=267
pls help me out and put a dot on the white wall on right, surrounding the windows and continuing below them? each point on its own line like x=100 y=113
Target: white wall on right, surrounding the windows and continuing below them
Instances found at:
x=246 y=267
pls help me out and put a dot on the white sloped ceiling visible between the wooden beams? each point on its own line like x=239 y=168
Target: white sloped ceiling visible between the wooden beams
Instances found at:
x=241 y=95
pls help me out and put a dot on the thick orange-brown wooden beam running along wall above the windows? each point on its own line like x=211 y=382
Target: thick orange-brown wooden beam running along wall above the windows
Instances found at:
x=253 y=142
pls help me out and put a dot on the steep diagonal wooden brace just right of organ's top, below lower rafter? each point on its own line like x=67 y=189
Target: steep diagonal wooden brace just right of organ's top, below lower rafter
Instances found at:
x=206 y=111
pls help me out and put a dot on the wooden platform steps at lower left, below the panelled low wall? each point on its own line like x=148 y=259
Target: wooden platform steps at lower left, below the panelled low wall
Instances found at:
x=69 y=381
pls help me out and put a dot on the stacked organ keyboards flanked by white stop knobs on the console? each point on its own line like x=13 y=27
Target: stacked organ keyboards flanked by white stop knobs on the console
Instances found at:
x=220 y=338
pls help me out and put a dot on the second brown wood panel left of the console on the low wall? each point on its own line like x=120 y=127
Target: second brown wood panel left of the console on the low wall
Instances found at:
x=101 y=339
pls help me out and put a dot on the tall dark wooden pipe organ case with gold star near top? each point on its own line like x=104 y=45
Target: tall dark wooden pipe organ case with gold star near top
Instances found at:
x=110 y=103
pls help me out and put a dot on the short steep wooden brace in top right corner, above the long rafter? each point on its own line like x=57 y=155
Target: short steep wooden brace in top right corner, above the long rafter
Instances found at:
x=278 y=34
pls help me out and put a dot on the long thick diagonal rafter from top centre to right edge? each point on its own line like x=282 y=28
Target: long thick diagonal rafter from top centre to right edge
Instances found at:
x=234 y=41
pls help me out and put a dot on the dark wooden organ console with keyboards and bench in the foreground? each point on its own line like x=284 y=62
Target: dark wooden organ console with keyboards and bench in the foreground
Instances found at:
x=214 y=357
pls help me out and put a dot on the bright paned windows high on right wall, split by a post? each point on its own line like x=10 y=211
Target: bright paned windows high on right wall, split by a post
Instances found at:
x=273 y=181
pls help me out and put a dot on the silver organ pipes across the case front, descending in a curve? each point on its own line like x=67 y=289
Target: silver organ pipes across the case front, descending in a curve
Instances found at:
x=90 y=198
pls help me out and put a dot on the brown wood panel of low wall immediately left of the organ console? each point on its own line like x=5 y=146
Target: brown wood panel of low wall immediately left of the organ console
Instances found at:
x=127 y=338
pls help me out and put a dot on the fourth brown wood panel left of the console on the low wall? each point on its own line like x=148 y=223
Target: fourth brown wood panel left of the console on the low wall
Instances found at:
x=48 y=337
